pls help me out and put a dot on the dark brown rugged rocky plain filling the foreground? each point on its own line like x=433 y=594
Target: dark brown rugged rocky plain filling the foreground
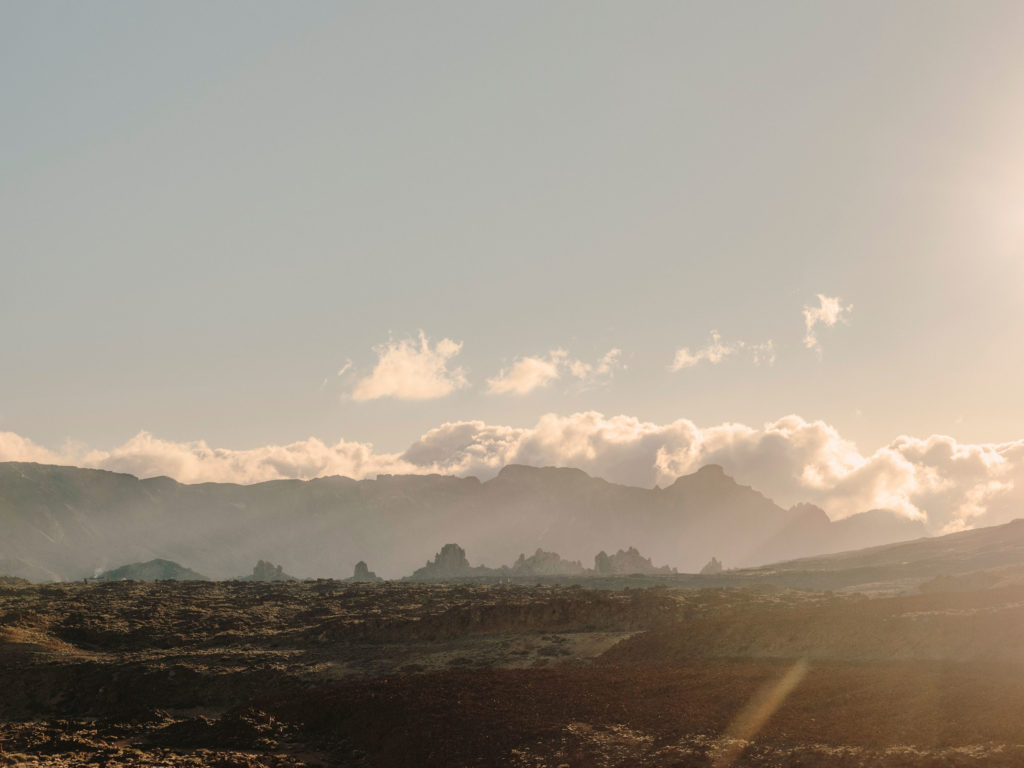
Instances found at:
x=334 y=674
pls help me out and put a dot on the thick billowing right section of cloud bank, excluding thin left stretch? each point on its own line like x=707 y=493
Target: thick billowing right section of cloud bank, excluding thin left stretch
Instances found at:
x=791 y=460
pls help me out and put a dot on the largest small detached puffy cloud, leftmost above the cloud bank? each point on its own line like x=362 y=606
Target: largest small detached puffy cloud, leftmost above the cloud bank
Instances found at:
x=411 y=370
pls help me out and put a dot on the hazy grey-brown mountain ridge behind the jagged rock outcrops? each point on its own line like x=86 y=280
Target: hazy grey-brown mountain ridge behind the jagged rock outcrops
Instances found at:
x=66 y=523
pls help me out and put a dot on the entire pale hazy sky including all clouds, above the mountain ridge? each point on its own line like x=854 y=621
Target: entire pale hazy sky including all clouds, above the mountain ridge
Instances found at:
x=251 y=240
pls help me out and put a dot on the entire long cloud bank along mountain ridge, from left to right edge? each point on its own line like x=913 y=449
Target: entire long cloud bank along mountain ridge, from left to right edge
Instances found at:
x=954 y=486
